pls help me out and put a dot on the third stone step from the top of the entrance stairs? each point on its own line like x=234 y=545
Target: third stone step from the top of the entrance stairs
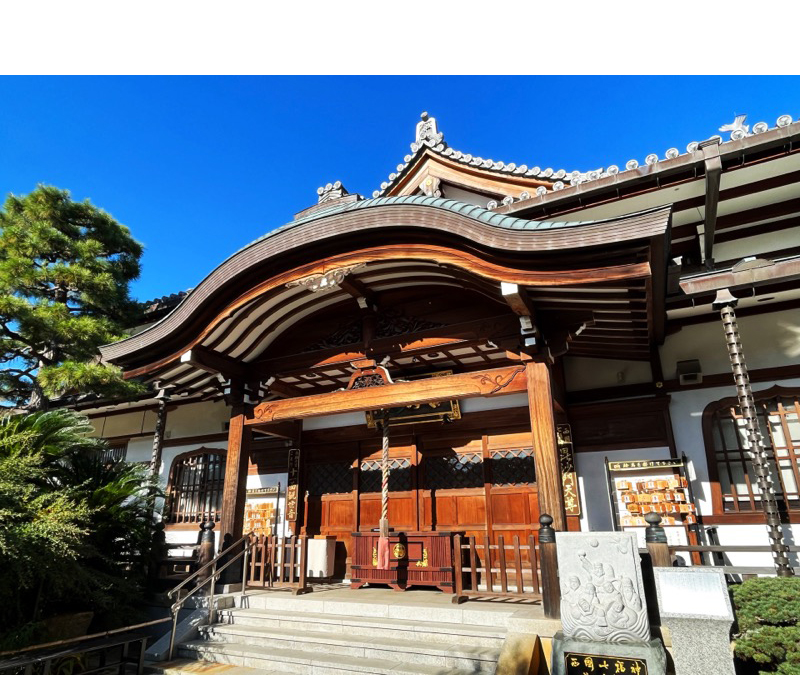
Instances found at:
x=474 y=658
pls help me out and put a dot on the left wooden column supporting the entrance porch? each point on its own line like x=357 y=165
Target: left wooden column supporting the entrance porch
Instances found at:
x=235 y=491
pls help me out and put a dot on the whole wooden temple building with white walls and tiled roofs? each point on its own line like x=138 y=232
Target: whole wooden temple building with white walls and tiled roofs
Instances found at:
x=528 y=340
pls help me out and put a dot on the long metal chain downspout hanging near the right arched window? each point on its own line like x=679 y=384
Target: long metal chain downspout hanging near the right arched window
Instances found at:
x=725 y=302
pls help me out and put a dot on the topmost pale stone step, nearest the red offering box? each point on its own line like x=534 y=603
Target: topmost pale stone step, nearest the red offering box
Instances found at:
x=402 y=607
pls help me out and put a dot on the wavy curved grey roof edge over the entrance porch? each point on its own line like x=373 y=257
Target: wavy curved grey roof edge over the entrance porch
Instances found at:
x=465 y=221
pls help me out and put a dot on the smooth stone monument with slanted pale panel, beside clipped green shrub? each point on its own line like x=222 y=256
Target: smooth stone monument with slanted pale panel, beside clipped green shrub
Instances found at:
x=694 y=604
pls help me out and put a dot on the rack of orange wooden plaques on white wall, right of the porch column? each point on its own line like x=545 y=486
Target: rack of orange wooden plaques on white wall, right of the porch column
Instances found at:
x=639 y=487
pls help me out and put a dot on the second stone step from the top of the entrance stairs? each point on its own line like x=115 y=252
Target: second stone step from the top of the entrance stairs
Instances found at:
x=403 y=629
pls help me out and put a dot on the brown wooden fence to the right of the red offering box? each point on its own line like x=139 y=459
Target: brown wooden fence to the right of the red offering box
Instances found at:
x=483 y=569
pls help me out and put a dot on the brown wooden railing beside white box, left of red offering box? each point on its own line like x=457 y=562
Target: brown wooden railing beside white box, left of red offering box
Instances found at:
x=279 y=561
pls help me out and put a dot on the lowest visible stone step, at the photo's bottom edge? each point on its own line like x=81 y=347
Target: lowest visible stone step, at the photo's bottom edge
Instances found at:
x=308 y=663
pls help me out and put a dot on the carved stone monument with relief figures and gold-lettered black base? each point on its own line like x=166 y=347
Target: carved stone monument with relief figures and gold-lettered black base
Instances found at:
x=603 y=607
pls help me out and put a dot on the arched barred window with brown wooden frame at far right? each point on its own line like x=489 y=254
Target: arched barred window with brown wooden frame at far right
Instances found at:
x=733 y=481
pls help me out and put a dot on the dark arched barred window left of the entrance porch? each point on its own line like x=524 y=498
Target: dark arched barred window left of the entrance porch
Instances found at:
x=195 y=486
